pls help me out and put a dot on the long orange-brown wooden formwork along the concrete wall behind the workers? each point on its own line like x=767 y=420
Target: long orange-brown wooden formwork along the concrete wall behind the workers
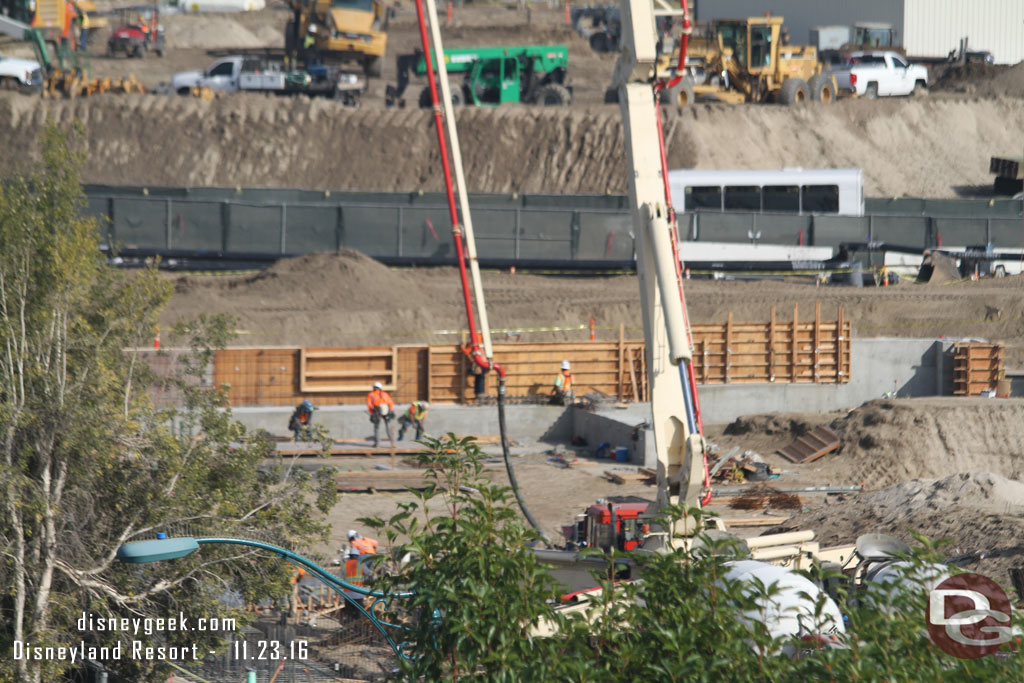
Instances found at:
x=798 y=351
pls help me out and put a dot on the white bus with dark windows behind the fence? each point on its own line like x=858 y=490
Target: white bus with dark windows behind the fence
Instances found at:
x=799 y=191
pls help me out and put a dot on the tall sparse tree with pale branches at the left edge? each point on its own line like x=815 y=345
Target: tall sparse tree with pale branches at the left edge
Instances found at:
x=89 y=464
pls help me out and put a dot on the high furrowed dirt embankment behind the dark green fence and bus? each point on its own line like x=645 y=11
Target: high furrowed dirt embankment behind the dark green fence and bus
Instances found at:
x=913 y=148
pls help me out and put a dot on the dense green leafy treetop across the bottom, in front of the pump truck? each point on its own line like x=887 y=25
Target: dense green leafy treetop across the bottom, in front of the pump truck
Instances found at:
x=481 y=601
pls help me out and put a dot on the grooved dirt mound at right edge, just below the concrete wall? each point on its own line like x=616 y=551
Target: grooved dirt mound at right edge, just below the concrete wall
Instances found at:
x=888 y=442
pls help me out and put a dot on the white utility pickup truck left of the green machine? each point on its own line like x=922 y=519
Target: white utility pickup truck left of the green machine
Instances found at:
x=265 y=74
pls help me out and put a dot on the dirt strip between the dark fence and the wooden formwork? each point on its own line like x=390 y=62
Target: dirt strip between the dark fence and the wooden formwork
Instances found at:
x=348 y=298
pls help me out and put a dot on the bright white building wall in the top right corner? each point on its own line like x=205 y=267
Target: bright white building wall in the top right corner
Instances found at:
x=932 y=28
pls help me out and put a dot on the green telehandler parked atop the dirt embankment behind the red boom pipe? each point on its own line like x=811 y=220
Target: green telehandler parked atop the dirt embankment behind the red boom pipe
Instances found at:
x=493 y=76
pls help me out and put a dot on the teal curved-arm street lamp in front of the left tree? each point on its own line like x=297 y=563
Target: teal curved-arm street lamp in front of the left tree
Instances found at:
x=163 y=548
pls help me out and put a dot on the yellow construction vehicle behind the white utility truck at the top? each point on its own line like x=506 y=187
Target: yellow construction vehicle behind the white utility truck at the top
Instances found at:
x=338 y=31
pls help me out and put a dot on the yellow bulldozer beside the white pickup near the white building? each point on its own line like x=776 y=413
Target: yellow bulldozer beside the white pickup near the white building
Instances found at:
x=750 y=61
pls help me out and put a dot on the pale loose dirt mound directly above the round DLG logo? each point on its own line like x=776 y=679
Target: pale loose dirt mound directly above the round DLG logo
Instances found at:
x=976 y=511
